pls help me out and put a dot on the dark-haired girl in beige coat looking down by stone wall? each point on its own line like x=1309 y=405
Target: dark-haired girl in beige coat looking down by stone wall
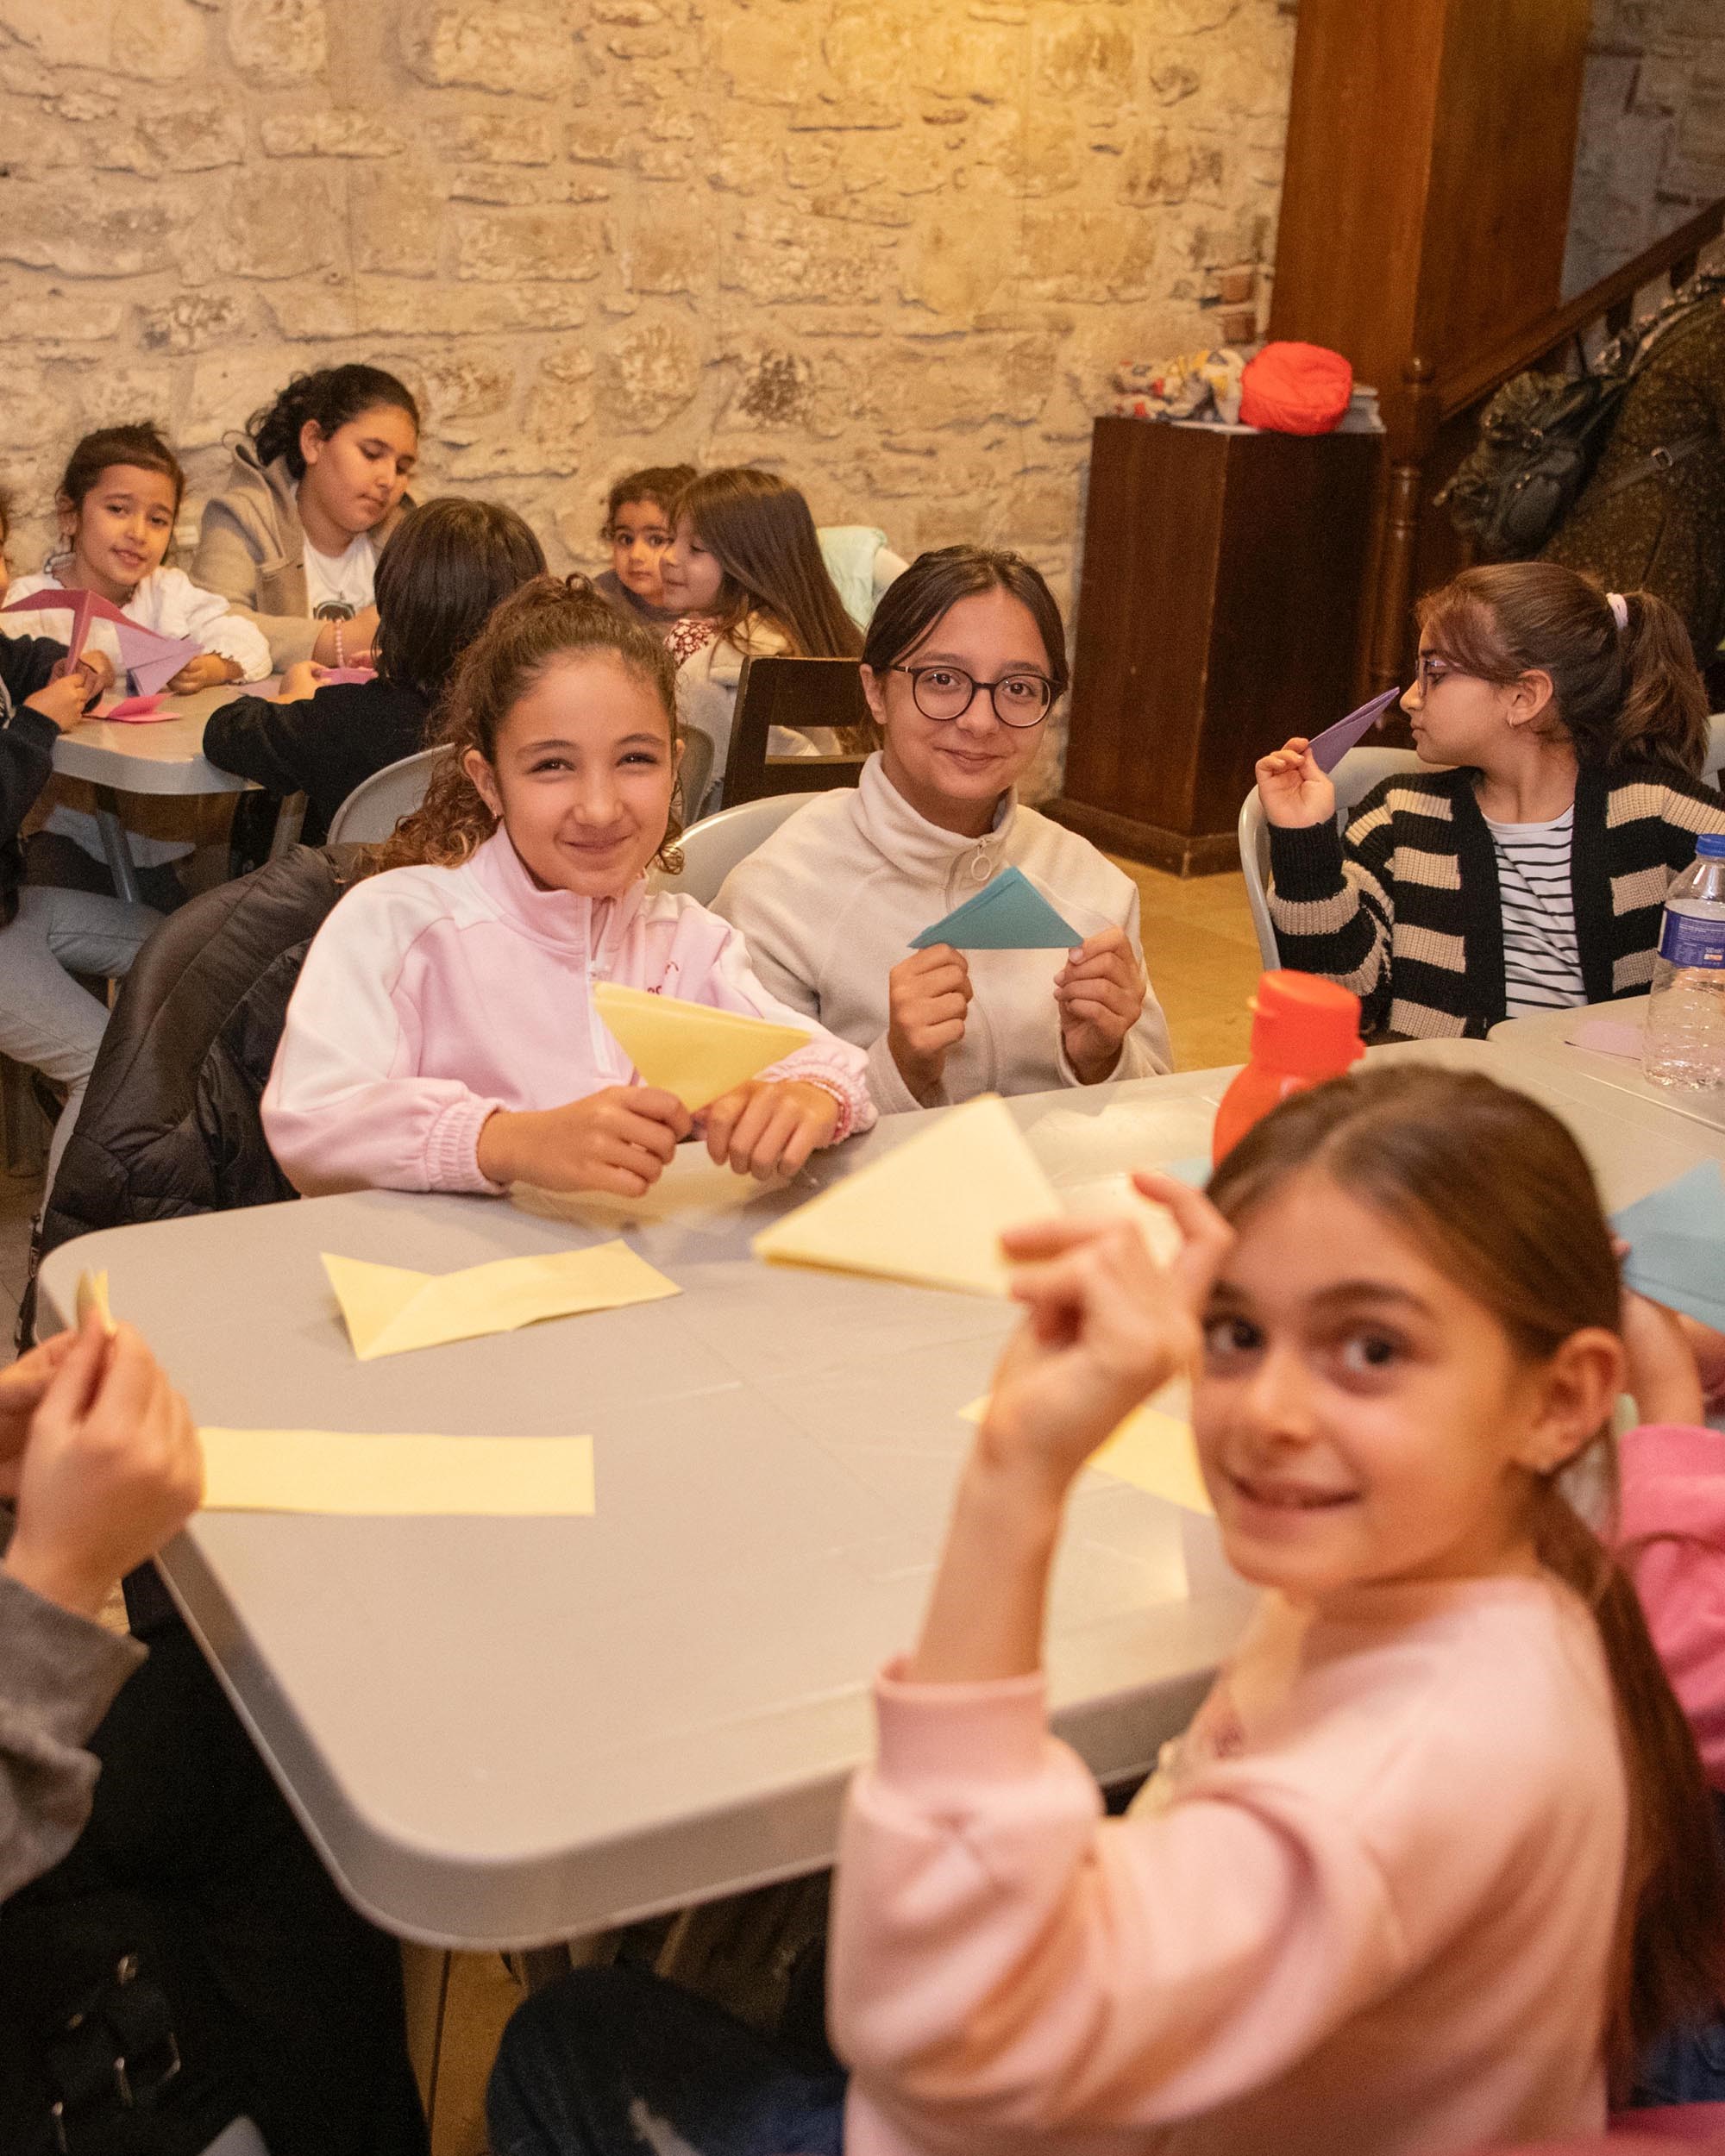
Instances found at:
x=316 y=495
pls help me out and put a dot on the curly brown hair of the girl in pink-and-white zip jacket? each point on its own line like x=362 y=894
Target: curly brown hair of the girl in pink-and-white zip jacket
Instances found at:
x=532 y=631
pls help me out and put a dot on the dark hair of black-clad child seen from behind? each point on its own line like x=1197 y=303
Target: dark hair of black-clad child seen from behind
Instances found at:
x=439 y=579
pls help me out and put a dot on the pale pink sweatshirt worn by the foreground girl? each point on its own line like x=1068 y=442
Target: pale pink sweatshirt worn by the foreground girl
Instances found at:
x=1364 y=1909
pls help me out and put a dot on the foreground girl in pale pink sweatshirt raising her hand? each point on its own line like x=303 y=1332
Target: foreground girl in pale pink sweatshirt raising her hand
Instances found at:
x=1431 y=1866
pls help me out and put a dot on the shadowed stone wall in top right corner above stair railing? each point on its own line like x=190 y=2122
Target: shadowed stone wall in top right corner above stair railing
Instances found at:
x=1653 y=130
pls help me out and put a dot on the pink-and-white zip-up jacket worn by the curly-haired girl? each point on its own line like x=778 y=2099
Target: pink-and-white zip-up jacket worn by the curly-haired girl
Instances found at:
x=434 y=997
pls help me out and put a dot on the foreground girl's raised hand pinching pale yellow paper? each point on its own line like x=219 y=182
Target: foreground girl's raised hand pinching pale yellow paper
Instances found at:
x=1105 y=1329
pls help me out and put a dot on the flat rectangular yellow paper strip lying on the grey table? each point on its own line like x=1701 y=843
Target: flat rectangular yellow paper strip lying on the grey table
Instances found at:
x=396 y=1476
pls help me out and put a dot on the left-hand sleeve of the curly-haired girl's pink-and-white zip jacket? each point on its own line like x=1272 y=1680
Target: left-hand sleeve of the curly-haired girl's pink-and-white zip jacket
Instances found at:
x=344 y=1107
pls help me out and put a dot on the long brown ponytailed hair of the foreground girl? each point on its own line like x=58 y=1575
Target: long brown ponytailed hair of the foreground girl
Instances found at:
x=1500 y=1198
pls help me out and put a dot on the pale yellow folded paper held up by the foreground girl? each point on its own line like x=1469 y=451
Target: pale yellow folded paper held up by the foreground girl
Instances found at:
x=930 y=1213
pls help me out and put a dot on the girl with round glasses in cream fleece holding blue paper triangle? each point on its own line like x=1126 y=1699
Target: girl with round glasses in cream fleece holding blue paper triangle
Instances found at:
x=963 y=665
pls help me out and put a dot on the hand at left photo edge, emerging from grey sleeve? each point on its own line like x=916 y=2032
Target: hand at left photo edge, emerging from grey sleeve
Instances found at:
x=109 y=1471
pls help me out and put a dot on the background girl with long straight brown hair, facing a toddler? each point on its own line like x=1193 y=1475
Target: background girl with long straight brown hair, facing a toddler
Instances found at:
x=747 y=572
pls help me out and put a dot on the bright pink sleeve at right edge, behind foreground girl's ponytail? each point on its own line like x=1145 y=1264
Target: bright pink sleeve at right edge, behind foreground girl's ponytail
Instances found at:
x=1672 y=1538
